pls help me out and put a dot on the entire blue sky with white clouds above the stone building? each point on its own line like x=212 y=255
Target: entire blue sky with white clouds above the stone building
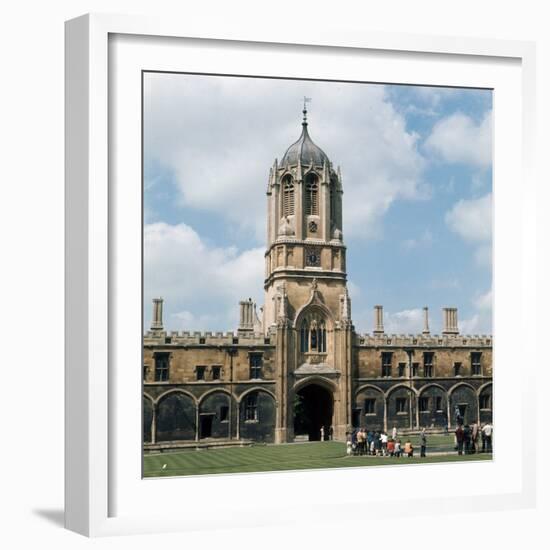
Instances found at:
x=417 y=174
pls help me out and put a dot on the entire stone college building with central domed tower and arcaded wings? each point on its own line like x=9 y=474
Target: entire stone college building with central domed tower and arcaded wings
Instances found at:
x=301 y=365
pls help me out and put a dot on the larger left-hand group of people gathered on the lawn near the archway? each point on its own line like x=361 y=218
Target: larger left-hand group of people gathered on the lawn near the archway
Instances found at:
x=361 y=442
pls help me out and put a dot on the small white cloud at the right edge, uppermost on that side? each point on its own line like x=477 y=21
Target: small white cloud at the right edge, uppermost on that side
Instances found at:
x=458 y=139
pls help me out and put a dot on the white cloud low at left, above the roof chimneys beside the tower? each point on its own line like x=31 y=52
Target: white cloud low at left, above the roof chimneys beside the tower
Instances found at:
x=193 y=277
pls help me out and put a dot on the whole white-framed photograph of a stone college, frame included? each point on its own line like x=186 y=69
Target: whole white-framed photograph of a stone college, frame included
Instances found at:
x=294 y=265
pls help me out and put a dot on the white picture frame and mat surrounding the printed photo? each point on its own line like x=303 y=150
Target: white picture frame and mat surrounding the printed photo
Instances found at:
x=103 y=494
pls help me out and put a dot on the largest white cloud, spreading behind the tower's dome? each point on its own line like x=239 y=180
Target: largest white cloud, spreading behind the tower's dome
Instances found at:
x=219 y=136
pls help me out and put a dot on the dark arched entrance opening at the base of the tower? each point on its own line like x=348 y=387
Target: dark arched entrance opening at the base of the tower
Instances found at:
x=313 y=409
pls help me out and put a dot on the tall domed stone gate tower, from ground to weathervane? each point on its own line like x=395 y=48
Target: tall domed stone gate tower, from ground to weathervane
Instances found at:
x=306 y=299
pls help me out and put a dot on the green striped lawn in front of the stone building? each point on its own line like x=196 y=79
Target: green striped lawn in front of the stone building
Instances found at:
x=264 y=458
